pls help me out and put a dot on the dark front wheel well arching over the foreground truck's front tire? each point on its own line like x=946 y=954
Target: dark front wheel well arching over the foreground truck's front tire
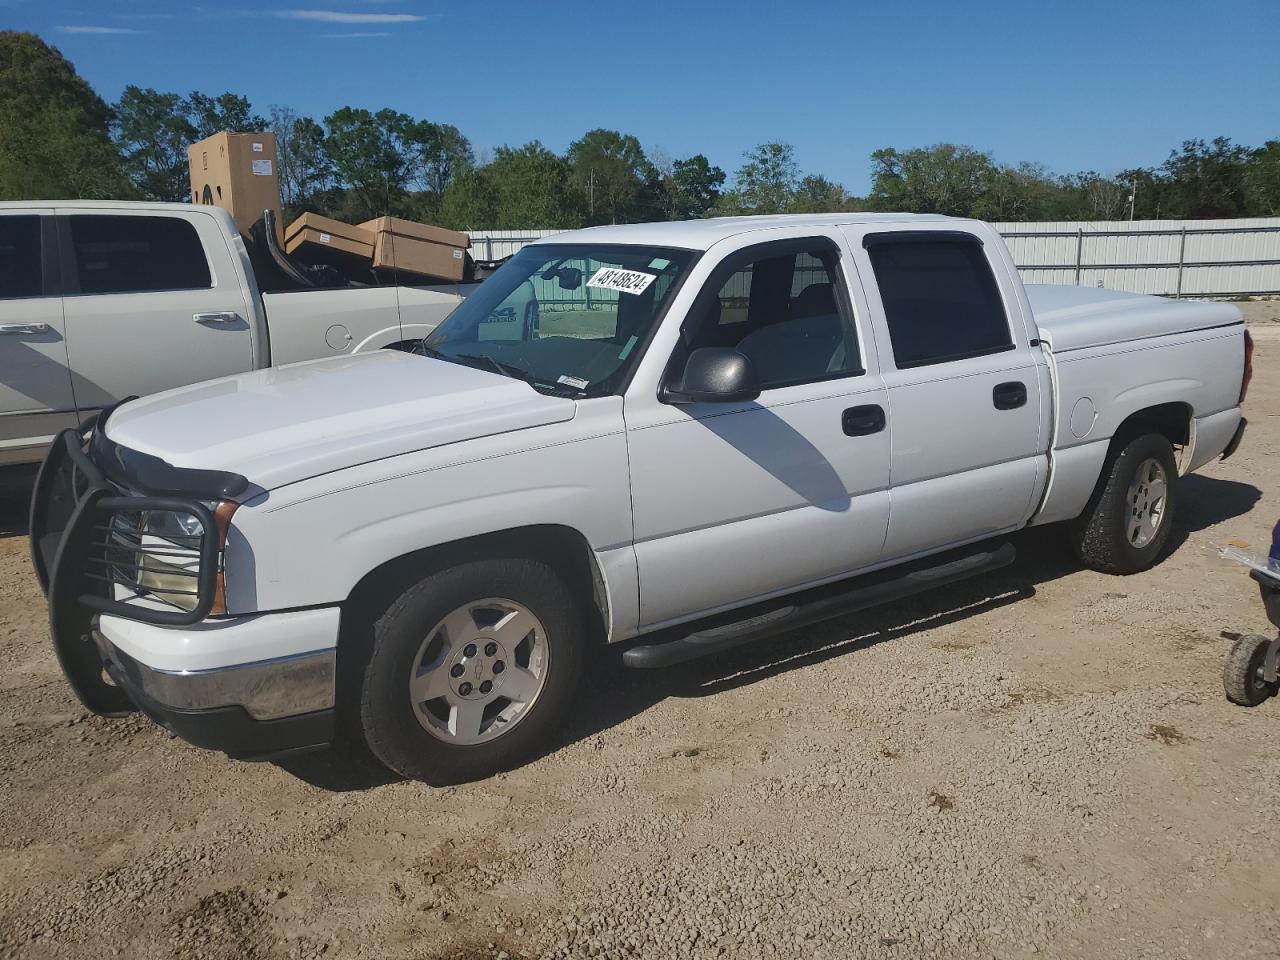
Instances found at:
x=560 y=547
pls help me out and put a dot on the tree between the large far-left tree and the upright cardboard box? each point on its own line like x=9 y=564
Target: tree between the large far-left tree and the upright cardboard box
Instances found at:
x=153 y=132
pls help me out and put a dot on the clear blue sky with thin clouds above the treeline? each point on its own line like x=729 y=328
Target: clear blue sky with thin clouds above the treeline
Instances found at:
x=1075 y=86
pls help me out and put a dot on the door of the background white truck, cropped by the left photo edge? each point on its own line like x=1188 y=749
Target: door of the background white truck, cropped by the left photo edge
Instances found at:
x=35 y=386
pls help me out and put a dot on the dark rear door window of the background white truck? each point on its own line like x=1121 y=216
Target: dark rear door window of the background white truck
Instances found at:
x=135 y=254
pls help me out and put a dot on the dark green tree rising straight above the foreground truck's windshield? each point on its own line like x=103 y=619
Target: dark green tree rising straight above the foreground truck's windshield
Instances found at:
x=614 y=175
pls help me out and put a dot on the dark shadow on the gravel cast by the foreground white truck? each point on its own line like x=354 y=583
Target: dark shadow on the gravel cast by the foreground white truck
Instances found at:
x=616 y=694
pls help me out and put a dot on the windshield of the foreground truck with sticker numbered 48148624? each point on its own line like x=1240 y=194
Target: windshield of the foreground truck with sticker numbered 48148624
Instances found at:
x=566 y=318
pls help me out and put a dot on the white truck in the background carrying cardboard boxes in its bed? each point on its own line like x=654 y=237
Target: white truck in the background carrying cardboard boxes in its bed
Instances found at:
x=102 y=301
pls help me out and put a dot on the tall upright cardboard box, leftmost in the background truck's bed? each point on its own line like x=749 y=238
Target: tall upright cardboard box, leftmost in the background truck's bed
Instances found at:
x=239 y=173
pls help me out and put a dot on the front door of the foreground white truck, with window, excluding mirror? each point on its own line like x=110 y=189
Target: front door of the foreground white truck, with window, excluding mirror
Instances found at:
x=735 y=502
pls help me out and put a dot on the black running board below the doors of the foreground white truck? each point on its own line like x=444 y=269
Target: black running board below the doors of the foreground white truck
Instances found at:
x=798 y=615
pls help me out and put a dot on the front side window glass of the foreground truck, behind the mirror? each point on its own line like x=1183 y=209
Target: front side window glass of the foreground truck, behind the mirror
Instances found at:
x=779 y=307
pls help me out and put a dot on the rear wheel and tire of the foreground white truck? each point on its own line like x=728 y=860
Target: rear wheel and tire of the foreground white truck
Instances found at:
x=1127 y=524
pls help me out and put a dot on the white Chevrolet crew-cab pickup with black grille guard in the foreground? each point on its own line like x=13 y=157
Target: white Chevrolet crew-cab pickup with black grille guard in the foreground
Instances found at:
x=728 y=428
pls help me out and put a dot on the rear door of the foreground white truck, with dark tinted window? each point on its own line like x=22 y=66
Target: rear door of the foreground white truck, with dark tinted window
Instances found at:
x=964 y=386
